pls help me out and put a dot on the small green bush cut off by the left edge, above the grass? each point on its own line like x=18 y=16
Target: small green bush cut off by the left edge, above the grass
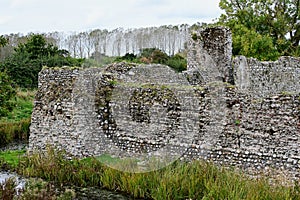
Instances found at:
x=7 y=92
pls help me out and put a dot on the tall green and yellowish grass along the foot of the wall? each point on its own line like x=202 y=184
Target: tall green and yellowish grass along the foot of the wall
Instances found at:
x=180 y=180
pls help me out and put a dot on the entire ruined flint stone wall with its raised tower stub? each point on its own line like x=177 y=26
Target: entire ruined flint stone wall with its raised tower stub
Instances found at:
x=239 y=112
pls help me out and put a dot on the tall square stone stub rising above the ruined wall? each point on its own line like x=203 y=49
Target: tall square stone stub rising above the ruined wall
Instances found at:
x=209 y=55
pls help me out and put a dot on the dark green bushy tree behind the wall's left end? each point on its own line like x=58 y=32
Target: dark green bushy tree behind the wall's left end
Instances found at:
x=28 y=59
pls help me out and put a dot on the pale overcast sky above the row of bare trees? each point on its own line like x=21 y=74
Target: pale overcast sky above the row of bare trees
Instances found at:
x=39 y=16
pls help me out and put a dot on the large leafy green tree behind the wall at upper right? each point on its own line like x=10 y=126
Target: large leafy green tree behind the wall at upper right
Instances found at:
x=273 y=24
